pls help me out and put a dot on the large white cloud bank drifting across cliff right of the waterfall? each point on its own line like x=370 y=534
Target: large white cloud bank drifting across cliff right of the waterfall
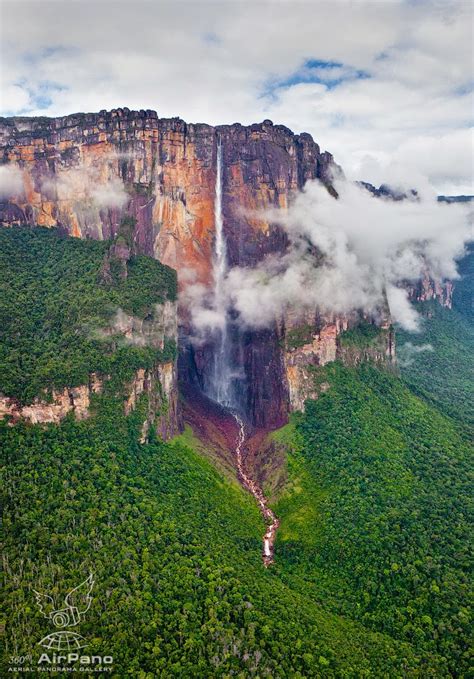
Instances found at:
x=345 y=255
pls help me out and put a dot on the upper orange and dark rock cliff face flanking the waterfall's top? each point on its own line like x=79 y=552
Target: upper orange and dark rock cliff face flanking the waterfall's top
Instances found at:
x=86 y=171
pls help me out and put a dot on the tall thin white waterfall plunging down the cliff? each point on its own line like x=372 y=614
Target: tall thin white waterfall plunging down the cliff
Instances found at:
x=221 y=381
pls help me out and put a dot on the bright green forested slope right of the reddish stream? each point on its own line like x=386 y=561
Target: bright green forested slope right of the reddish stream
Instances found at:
x=375 y=516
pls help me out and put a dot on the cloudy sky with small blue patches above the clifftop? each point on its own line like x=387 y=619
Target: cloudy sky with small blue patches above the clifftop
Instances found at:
x=386 y=86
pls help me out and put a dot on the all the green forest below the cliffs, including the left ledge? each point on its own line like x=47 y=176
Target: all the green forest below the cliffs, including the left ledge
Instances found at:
x=372 y=554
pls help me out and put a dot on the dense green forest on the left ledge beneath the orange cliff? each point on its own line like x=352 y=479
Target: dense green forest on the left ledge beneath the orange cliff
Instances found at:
x=56 y=296
